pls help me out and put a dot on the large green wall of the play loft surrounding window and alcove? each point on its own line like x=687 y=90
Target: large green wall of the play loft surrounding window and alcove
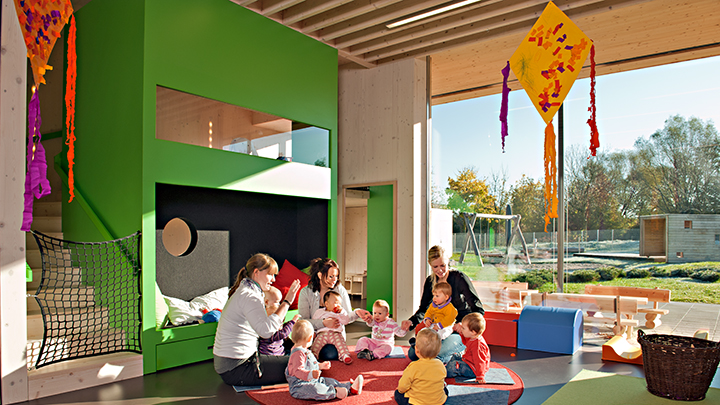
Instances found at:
x=212 y=48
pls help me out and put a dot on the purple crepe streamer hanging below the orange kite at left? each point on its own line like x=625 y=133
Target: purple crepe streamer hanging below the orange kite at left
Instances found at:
x=36 y=182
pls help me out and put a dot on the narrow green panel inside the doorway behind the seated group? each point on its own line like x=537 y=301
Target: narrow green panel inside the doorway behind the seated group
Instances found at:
x=380 y=245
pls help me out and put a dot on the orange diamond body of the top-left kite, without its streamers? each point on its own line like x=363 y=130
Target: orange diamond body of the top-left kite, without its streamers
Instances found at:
x=42 y=22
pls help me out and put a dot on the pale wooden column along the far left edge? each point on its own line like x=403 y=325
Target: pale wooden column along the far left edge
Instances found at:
x=13 y=306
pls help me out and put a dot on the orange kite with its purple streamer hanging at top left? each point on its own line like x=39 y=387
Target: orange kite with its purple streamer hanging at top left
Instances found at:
x=41 y=22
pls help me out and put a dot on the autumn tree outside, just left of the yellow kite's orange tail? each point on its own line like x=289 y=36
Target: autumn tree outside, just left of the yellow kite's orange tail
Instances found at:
x=527 y=199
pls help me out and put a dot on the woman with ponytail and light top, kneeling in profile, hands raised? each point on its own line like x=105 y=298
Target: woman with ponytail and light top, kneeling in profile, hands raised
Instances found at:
x=243 y=320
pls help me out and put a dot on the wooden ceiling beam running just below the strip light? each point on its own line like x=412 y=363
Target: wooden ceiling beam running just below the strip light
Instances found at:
x=446 y=24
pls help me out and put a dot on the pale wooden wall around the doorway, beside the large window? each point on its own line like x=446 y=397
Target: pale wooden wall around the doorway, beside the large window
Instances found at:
x=382 y=138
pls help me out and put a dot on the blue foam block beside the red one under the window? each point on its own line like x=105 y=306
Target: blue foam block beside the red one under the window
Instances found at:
x=550 y=329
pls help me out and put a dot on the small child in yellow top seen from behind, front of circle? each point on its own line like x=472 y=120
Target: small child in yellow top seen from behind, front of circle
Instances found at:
x=423 y=381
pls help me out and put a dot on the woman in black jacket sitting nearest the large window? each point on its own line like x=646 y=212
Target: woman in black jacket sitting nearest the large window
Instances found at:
x=464 y=298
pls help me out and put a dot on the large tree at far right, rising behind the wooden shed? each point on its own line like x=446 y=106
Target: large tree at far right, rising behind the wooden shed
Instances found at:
x=681 y=166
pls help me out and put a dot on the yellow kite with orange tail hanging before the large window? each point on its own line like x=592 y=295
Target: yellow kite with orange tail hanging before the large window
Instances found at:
x=546 y=63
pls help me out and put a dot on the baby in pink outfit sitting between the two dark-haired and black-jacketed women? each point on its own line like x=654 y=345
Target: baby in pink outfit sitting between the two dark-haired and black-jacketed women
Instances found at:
x=383 y=335
